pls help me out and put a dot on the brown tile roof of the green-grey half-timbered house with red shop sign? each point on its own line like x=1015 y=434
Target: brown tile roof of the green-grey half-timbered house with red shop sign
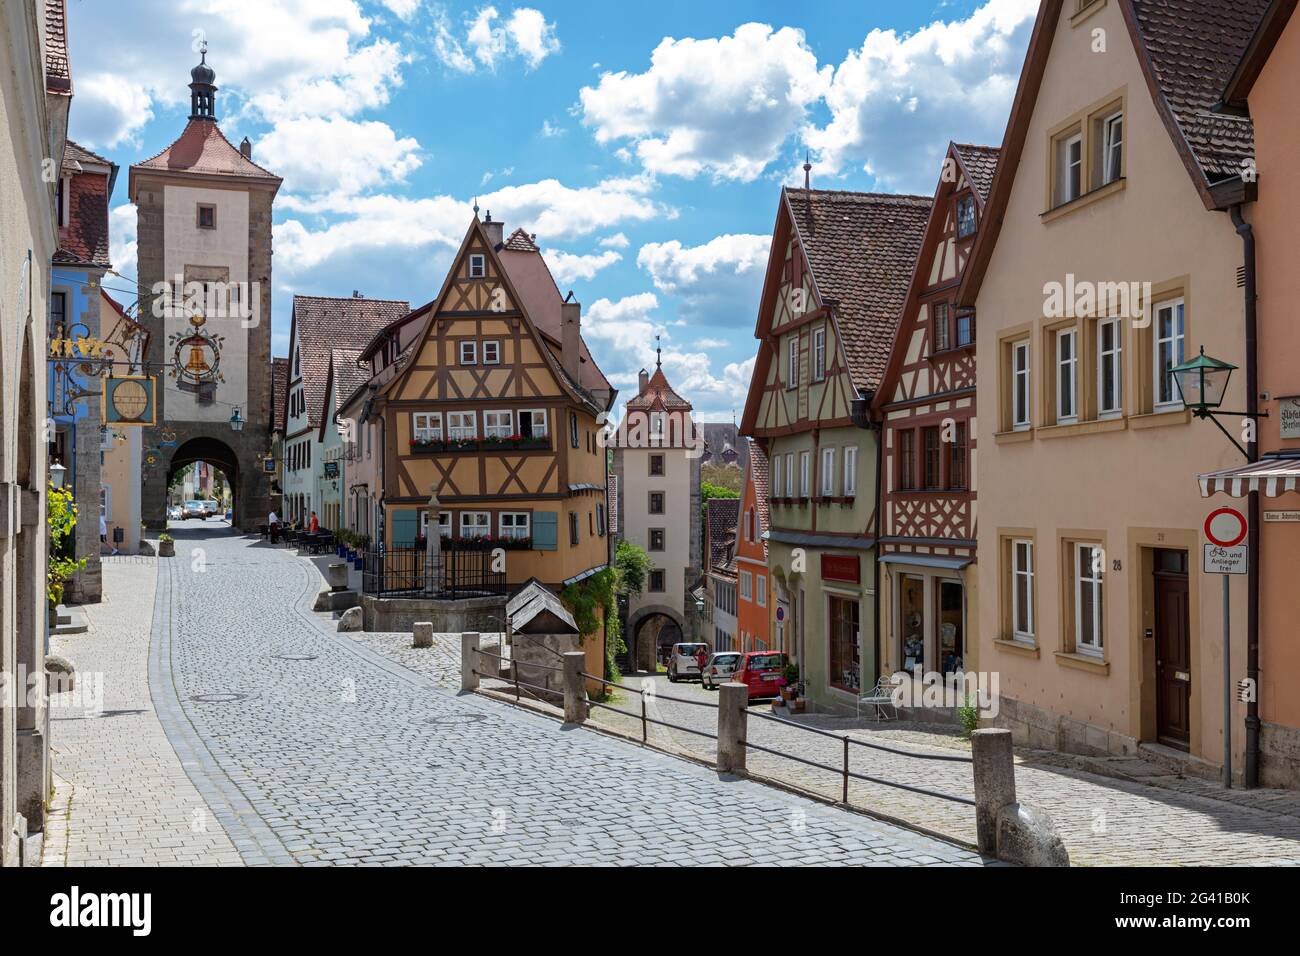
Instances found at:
x=863 y=249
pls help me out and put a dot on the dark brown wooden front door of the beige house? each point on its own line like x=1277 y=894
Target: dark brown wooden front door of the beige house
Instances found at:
x=1173 y=656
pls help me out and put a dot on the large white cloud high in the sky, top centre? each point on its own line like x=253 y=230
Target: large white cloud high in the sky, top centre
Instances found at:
x=713 y=106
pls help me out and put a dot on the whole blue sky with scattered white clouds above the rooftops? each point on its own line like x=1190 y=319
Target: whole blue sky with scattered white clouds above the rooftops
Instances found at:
x=644 y=144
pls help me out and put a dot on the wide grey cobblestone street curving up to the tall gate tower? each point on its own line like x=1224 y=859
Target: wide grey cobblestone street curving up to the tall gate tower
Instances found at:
x=315 y=749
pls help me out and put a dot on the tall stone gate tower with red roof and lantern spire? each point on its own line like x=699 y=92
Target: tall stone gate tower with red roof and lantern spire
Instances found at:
x=203 y=235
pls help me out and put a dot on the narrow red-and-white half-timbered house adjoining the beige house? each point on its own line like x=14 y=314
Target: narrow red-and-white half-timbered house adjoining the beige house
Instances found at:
x=926 y=405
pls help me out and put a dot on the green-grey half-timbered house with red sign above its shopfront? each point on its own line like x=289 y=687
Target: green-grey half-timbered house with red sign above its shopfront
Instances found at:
x=837 y=280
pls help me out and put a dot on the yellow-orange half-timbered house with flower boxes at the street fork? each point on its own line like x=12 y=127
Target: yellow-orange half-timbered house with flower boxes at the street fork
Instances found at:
x=496 y=406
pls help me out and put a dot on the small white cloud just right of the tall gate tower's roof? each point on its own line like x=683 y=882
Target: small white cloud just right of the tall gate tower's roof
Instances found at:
x=319 y=155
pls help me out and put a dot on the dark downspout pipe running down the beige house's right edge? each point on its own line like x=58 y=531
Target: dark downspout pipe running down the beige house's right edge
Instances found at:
x=1251 y=775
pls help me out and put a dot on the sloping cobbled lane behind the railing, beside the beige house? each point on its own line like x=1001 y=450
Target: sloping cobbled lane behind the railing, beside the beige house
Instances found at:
x=1103 y=821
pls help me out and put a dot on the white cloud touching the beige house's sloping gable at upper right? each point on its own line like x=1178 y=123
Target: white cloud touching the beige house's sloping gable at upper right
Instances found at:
x=898 y=101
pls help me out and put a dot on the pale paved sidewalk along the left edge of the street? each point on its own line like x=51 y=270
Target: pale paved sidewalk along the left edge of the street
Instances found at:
x=122 y=794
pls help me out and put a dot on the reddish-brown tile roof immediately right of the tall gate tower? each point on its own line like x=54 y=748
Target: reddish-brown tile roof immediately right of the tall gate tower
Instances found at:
x=322 y=325
